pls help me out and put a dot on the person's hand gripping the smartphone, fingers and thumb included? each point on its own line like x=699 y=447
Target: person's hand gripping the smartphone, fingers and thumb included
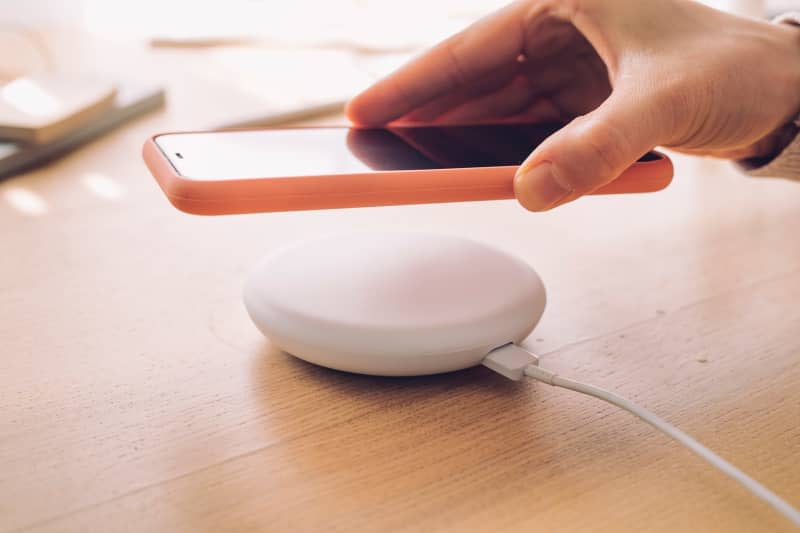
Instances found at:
x=627 y=75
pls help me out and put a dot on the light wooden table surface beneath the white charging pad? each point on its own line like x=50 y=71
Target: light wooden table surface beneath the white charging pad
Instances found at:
x=136 y=395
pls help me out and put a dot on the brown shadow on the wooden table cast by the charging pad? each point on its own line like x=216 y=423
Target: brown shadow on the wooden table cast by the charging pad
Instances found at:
x=455 y=421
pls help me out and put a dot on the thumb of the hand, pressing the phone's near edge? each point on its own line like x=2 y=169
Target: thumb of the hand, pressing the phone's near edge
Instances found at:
x=587 y=153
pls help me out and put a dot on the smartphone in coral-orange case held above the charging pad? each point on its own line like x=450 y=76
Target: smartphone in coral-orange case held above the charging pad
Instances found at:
x=264 y=170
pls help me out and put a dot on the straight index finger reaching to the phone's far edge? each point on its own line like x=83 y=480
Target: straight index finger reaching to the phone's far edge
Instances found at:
x=491 y=42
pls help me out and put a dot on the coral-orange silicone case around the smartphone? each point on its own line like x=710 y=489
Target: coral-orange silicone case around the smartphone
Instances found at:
x=378 y=188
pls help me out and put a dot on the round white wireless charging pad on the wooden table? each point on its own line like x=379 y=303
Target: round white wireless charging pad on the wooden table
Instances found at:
x=393 y=304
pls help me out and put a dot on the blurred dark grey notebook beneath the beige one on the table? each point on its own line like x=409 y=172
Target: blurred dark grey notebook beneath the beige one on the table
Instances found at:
x=131 y=101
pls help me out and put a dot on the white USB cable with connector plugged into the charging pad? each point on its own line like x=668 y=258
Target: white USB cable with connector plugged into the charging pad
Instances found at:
x=515 y=362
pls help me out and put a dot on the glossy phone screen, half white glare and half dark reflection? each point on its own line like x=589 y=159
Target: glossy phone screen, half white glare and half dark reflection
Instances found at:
x=273 y=153
